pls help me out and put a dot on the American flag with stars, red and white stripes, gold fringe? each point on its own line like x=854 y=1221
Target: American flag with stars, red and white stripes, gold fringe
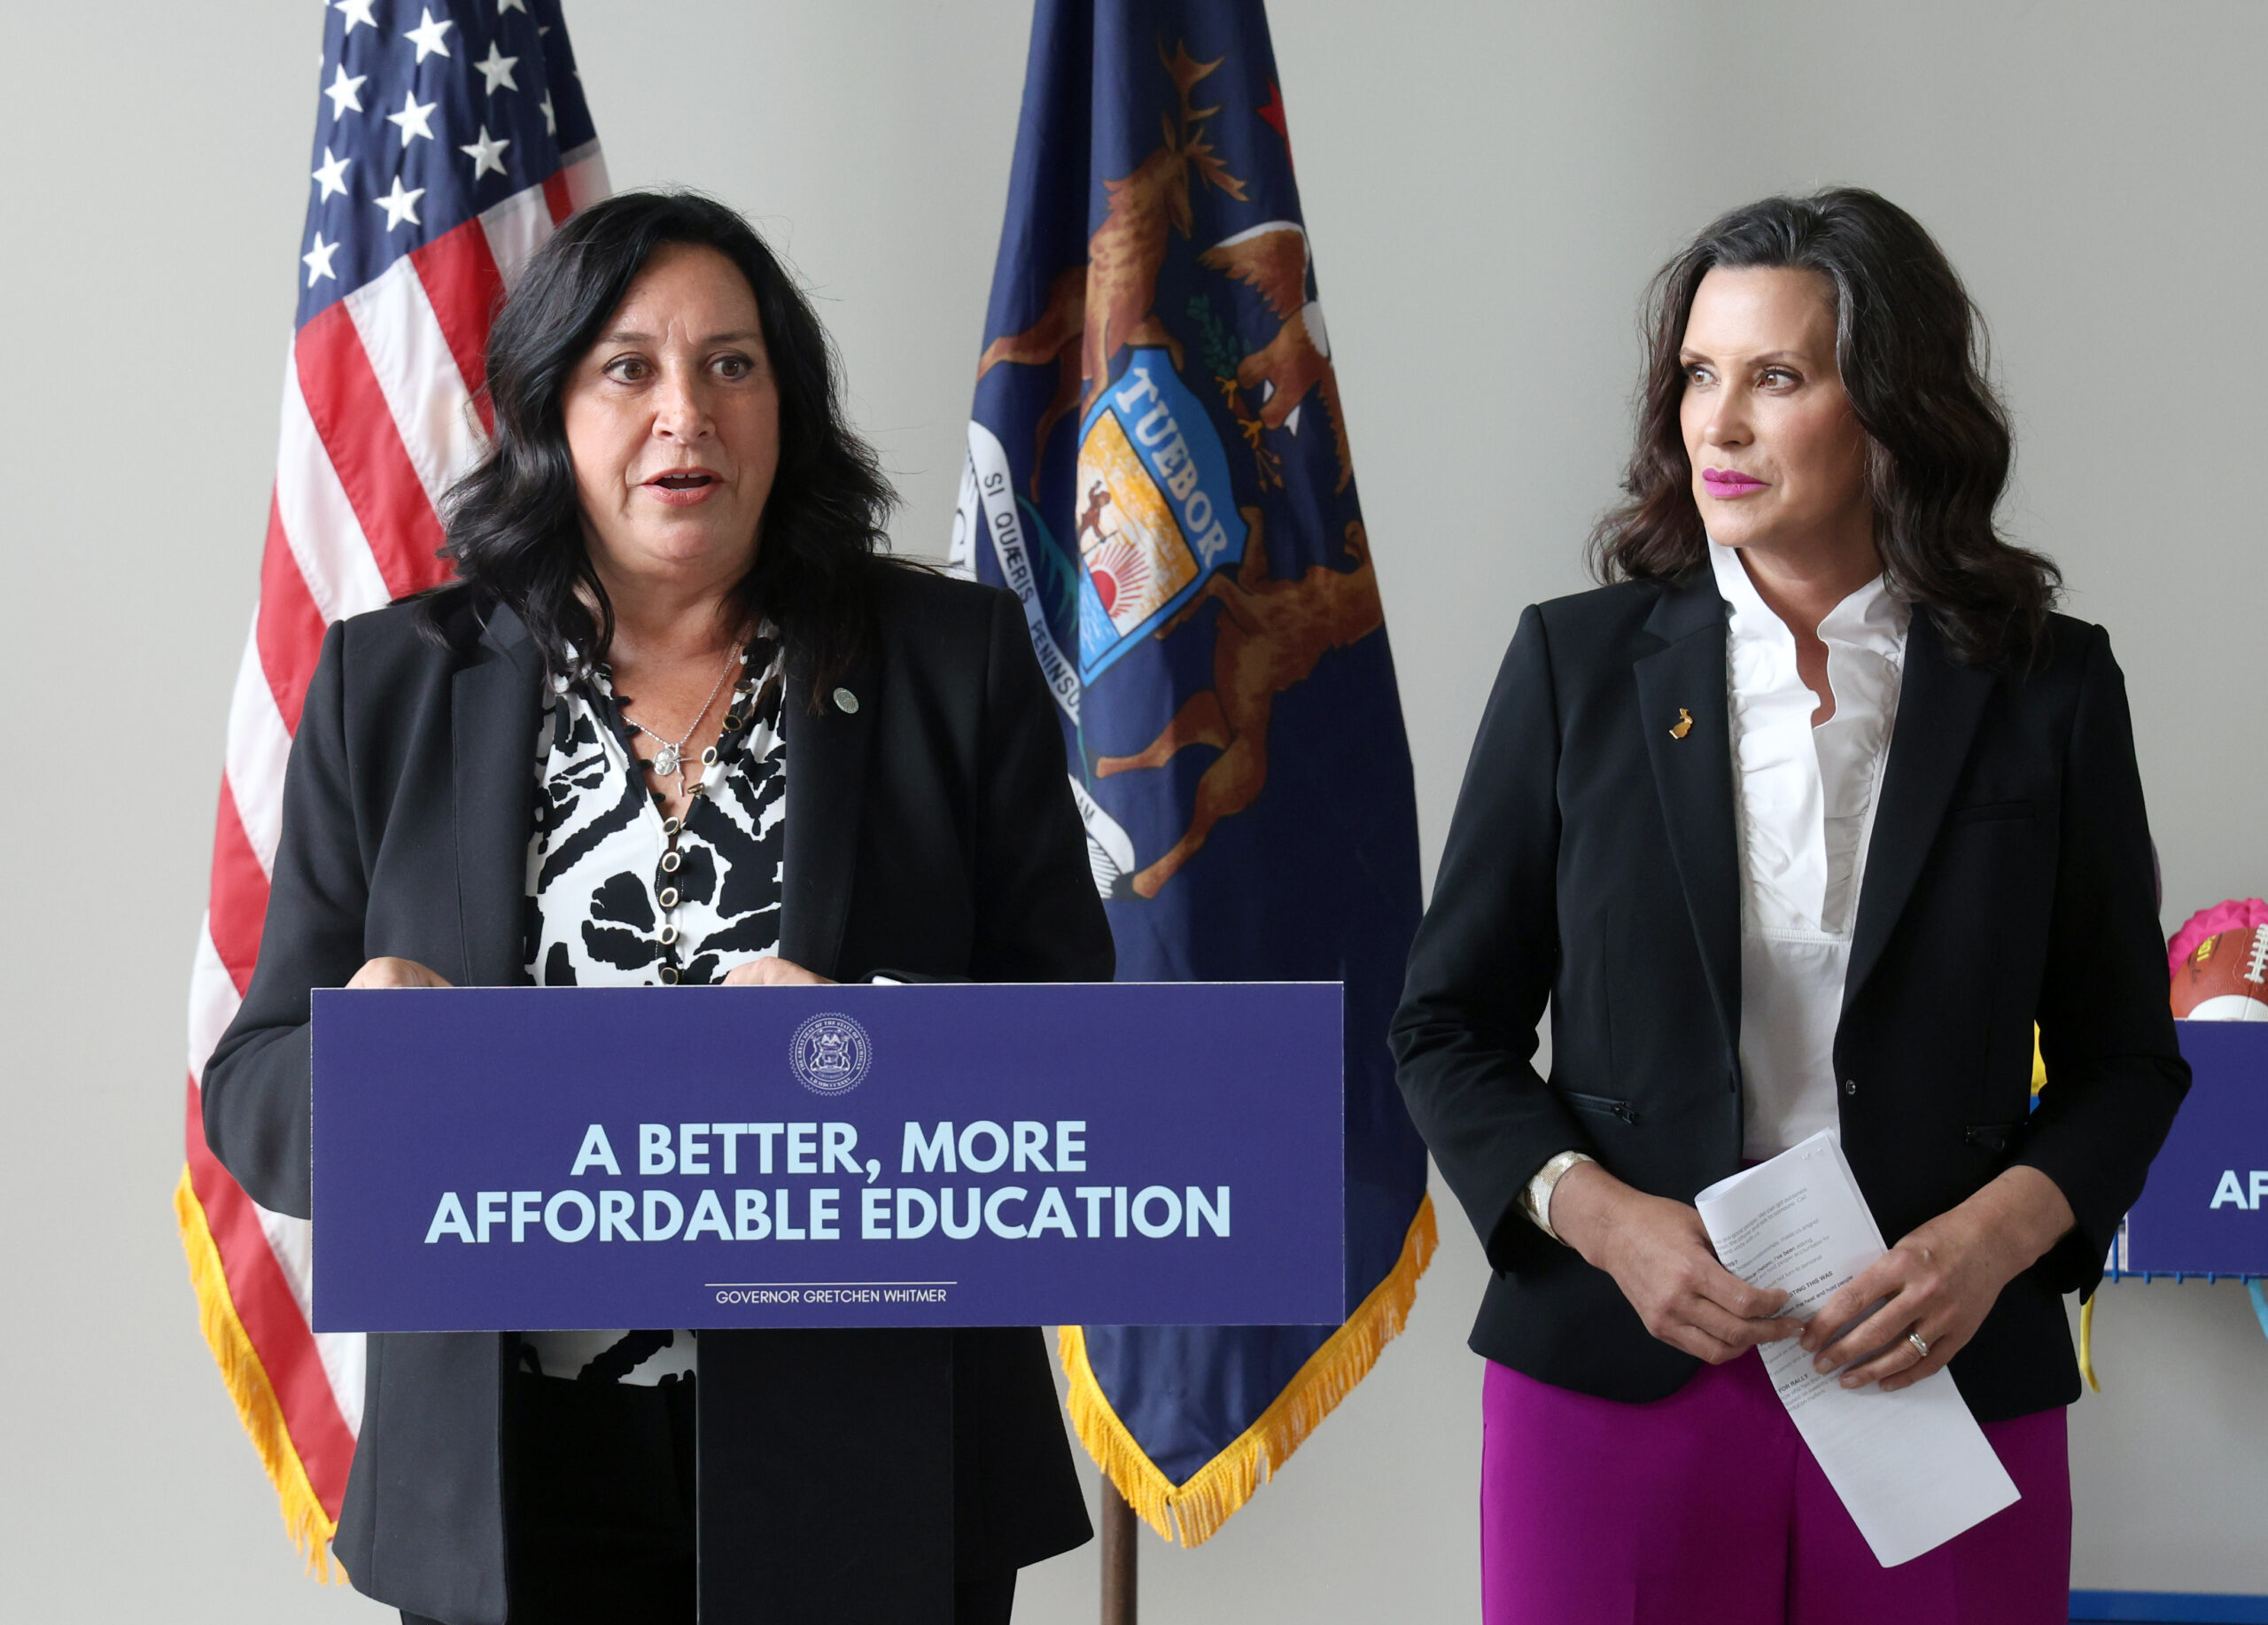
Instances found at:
x=450 y=142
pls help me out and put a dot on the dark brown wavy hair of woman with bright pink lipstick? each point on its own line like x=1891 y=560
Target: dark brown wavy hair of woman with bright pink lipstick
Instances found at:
x=1913 y=357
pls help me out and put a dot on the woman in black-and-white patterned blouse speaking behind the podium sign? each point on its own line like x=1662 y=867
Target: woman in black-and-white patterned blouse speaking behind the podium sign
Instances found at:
x=675 y=723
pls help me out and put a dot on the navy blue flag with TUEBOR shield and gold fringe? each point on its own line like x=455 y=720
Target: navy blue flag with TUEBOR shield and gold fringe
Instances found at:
x=1158 y=466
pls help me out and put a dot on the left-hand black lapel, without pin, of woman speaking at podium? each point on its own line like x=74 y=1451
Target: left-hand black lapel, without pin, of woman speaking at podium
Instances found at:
x=496 y=709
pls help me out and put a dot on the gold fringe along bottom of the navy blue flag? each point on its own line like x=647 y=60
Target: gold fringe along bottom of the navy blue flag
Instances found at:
x=1199 y=1508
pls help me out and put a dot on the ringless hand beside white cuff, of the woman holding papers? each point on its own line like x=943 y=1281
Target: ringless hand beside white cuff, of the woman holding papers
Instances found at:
x=1661 y=1258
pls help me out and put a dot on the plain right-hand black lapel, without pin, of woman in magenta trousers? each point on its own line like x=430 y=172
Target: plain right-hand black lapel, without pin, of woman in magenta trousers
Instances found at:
x=1938 y=718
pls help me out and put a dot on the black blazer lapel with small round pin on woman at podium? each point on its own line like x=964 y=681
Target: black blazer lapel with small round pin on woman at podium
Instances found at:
x=827 y=775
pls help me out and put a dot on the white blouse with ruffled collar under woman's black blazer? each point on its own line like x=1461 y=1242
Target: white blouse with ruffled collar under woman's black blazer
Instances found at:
x=1806 y=805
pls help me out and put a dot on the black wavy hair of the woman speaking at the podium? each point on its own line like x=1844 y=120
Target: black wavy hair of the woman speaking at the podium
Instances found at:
x=514 y=523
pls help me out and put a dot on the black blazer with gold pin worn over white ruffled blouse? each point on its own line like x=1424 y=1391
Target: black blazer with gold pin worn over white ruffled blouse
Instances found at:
x=1593 y=864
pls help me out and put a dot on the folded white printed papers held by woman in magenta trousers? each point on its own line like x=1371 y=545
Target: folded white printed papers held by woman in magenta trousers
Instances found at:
x=1911 y=1467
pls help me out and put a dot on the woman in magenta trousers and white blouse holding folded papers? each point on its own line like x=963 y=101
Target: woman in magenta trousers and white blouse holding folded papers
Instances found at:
x=1797 y=825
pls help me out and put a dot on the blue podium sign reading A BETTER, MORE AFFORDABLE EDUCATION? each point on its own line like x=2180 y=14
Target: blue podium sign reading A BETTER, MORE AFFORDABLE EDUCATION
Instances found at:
x=527 y=1159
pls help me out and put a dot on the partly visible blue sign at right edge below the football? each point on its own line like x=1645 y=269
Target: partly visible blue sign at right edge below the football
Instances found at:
x=2206 y=1209
